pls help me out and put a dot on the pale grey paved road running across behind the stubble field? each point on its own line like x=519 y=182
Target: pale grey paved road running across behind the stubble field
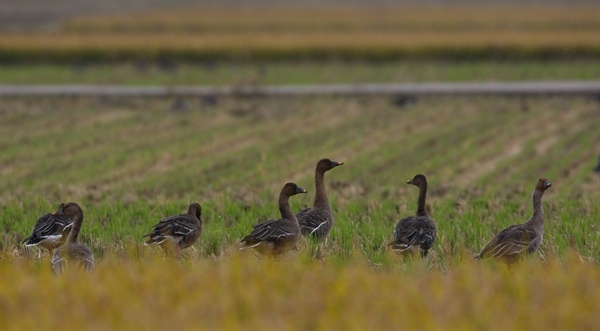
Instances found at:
x=481 y=88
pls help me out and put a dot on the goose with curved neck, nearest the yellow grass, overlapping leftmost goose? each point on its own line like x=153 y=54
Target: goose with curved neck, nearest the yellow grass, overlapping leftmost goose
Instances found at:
x=72 y=251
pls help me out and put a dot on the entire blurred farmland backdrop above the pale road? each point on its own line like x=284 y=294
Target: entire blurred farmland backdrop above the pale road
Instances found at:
x=290 y=42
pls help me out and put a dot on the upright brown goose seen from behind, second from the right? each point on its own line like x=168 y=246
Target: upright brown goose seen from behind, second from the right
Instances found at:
x=416 y=233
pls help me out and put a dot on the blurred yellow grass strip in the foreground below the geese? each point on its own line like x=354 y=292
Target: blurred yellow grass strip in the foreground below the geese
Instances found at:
x=239 y=292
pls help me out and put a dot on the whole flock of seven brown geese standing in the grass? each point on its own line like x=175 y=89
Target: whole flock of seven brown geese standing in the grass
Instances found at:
x=58 y=231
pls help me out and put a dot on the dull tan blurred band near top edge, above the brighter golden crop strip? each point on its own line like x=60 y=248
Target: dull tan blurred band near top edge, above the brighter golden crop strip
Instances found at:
x=347 y=18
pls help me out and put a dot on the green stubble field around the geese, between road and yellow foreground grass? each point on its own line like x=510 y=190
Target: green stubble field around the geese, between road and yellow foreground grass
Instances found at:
x=131 y=162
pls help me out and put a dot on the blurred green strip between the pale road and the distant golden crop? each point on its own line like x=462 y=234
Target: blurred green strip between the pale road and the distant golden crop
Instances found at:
x=297 y=72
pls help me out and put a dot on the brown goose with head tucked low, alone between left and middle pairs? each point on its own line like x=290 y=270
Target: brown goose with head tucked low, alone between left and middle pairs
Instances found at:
x=177 y=232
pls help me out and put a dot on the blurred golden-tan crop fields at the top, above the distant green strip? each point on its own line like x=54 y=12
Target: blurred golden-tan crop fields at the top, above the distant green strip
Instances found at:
x=379 y=32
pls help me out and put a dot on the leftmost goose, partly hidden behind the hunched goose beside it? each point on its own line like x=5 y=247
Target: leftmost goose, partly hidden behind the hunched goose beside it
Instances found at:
x=49 y=231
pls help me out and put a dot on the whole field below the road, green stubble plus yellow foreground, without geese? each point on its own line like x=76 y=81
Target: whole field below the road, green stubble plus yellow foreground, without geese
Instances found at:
x=130 y=162
